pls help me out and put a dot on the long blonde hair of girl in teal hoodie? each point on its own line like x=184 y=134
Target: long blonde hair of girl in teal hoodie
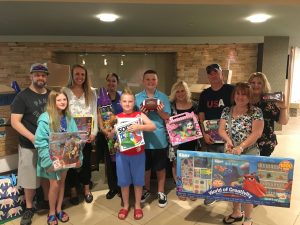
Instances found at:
x=54 y=117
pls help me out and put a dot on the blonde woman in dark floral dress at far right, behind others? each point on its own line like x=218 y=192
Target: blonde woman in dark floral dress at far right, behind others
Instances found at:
x=272 y=111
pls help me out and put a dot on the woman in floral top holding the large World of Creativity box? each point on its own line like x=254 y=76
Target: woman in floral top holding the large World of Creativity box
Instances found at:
x=240 y=127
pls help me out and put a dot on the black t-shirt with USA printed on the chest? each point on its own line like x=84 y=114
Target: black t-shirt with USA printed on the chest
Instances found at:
x=212 y=103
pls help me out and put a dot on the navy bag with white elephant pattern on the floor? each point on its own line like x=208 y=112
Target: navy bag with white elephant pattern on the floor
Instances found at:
x=12 y=201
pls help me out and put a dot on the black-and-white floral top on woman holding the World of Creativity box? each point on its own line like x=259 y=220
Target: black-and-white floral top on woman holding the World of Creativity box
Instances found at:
x=241 y=127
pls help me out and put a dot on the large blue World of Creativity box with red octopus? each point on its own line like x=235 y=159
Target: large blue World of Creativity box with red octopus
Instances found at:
x=239 y=178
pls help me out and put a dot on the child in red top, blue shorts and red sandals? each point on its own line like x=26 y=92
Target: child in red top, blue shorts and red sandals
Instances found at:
x=131 y=163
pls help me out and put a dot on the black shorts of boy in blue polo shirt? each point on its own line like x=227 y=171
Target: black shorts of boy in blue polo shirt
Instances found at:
x=156 y=159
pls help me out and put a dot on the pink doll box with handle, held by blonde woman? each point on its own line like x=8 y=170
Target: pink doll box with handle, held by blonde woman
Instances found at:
x=182 y=128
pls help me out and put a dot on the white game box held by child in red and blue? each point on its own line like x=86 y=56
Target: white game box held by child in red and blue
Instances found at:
x=128 y=140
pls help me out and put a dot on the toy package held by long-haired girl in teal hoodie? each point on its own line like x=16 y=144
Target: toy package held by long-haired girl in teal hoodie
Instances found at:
x=65 y=148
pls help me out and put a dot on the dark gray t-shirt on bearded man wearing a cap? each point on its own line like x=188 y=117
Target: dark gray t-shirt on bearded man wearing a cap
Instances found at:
x=31 y=105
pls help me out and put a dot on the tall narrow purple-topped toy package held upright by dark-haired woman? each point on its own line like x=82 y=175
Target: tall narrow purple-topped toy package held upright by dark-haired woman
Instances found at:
x=108 y=117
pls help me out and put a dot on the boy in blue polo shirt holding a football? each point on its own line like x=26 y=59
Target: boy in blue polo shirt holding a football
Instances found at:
x=155 y=142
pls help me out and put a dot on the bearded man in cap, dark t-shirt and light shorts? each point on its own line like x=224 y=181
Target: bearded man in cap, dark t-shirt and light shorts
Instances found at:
x=25 y=111
